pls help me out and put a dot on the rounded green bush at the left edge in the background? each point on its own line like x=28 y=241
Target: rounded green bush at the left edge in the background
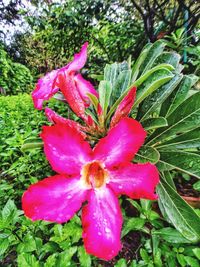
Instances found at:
x=14 y=77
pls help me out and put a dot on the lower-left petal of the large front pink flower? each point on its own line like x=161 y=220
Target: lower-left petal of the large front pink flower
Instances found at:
x=54 y=199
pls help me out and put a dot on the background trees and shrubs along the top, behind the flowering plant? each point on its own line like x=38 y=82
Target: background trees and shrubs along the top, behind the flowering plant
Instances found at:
x=43 y=35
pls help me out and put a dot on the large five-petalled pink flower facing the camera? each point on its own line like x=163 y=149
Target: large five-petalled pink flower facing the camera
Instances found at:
x=98 y=176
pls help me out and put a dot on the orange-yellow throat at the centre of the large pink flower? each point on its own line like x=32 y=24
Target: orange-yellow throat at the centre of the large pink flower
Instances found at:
x=94 y=174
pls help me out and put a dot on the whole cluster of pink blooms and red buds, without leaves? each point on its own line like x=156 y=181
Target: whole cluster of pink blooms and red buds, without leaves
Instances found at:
x=94 y=175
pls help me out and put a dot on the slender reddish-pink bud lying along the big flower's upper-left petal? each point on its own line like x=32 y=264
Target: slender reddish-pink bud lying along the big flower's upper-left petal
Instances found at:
x=53 y=117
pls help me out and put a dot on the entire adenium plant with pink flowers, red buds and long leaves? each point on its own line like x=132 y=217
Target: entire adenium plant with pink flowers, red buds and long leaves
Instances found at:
x=123 y=142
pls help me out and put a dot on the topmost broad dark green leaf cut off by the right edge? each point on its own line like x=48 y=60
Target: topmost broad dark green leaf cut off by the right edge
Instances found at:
x=186 y=117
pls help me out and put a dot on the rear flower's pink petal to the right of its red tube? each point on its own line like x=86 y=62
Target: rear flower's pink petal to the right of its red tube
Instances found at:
x=84 y=87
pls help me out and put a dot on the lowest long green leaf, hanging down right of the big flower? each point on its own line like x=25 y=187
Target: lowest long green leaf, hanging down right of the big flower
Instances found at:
x=178 y=212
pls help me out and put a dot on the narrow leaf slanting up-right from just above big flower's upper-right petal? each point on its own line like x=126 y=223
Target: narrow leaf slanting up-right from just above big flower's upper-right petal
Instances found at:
x=154 y=100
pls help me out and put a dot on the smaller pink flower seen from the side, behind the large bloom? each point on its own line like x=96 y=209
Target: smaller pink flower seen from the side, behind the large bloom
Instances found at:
x=73 y=86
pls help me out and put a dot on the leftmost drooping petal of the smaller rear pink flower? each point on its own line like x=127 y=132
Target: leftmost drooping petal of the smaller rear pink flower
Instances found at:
x=44 y=89
